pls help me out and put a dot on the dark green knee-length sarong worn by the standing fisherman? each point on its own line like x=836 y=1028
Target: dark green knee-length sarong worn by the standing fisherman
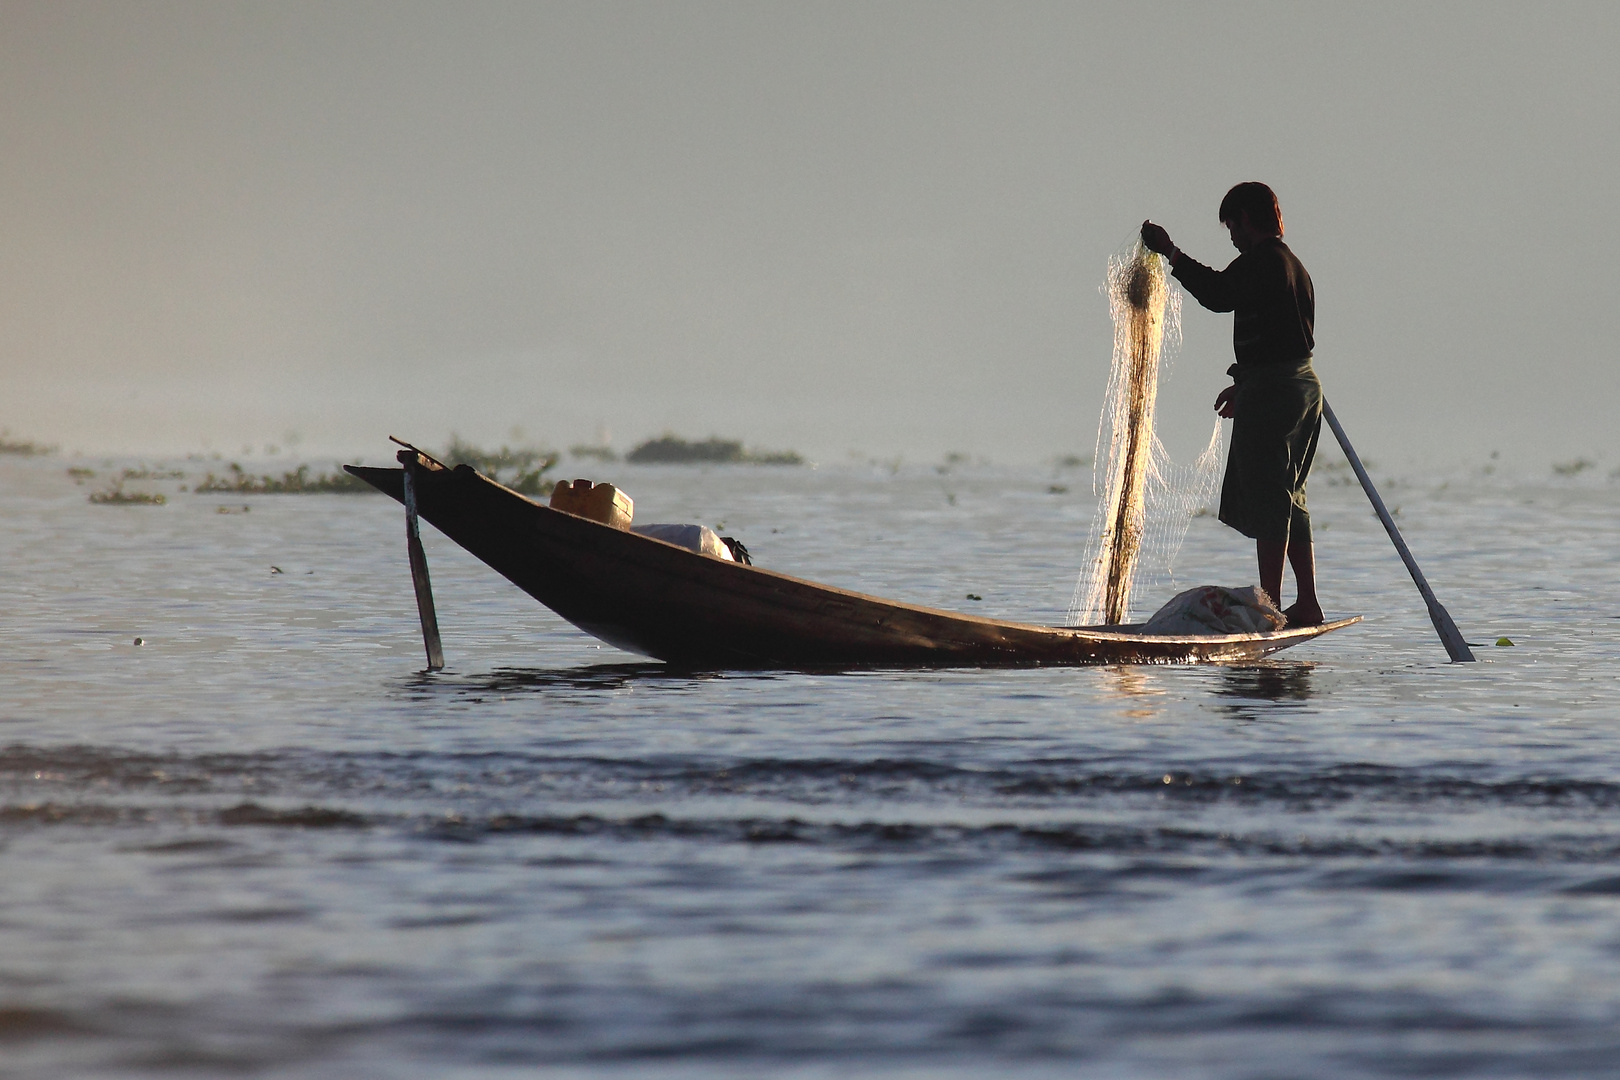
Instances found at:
x=1274 y=435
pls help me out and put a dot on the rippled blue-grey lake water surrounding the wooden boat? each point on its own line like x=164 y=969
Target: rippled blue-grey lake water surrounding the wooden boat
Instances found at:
x=266 y=844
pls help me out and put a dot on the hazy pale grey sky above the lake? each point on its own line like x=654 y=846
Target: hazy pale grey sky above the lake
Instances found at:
x=832 y=227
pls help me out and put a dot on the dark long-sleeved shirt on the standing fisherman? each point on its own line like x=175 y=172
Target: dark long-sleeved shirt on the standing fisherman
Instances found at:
x=1269 y=292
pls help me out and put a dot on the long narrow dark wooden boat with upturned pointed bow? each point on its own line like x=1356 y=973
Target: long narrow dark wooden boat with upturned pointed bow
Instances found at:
x=697 y=611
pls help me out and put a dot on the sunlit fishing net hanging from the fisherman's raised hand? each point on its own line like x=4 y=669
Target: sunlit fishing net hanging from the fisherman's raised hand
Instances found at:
x=1146 y=501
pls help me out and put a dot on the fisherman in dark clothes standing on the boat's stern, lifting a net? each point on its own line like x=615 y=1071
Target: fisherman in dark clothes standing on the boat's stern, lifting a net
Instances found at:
x=1276 y=401
